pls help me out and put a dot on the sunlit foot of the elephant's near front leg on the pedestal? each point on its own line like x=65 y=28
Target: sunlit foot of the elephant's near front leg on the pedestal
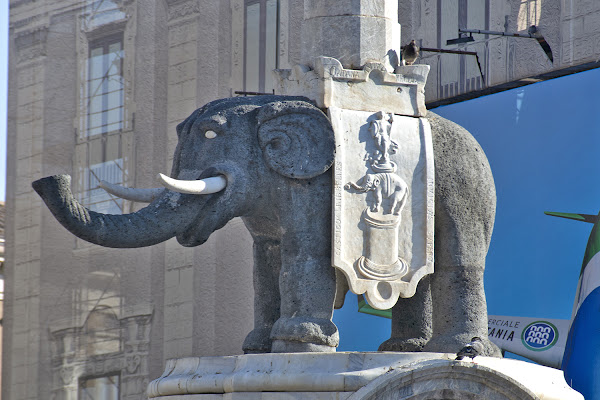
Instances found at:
x=302 y=334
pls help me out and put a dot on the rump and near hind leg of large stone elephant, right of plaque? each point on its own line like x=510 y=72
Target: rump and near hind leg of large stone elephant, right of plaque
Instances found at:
x=465 y=207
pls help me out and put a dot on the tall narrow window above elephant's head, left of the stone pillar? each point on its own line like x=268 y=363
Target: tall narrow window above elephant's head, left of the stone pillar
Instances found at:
x=261 y=41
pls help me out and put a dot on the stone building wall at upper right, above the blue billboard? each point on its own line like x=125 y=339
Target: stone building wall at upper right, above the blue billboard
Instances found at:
x=571 y=28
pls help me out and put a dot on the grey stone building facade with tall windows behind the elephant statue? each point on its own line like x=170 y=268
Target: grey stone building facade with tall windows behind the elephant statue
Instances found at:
x=96 y=89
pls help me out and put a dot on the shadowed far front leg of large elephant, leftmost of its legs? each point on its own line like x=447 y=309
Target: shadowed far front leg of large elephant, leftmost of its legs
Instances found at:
x=267 y=262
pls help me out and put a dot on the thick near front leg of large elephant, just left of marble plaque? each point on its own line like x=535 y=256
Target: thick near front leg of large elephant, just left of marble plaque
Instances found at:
x=307 y=280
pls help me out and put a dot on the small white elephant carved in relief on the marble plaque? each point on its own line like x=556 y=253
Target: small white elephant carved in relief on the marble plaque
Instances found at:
x=384 y=185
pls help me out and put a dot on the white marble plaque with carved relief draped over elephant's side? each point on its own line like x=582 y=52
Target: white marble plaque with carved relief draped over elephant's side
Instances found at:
x=383 y=205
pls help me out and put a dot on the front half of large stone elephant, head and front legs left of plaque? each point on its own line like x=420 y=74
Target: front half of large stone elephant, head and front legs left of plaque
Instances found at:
x=265 y=159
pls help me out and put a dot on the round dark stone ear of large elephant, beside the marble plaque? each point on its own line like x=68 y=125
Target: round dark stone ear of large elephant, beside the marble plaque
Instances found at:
x=296 y=138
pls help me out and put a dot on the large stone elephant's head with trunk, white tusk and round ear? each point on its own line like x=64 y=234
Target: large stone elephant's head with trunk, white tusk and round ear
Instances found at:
x=248 y=143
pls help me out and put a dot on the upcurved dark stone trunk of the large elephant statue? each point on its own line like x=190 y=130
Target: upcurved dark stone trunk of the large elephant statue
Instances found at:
x=162 y=219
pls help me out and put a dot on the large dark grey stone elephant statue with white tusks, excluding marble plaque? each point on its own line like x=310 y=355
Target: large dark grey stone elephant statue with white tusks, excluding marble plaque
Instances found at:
x=270 y=157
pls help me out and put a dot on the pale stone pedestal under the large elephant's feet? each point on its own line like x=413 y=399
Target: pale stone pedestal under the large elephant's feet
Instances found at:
x=356 y=376
